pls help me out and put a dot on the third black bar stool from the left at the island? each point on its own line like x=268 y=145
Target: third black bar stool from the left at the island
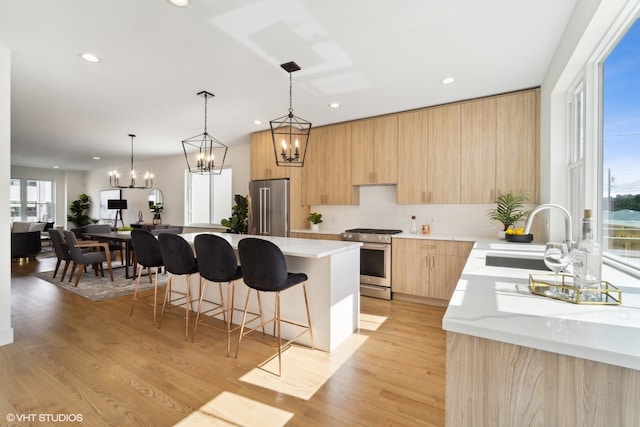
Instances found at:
x=216 y=263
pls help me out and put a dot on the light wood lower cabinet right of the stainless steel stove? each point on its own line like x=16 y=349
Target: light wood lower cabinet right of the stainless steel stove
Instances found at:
x=427 y=269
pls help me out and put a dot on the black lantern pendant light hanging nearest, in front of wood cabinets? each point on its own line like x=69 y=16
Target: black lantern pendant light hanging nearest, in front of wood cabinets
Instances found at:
x=290 y=133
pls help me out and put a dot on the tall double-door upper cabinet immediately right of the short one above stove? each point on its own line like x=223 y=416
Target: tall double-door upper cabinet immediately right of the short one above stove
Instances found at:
x=429 y=156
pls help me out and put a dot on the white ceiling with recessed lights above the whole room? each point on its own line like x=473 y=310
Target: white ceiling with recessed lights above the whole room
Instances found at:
x=371 y=56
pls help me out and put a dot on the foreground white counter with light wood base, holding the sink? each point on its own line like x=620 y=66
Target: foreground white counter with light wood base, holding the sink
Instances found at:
x=514 y=358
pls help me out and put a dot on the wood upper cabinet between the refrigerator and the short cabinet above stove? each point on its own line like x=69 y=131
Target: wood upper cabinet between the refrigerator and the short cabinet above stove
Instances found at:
x=326 y=175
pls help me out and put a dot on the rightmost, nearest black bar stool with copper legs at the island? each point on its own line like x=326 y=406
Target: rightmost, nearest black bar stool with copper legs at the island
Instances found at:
x=264 y=269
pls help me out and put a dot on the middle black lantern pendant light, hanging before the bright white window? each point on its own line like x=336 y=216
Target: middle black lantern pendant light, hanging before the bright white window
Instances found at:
x=205 y=155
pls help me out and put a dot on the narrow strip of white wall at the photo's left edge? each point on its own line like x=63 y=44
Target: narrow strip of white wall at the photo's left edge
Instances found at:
x=6 y=331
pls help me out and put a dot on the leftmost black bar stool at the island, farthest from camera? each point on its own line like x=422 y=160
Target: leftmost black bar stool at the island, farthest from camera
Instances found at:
x=147 y=250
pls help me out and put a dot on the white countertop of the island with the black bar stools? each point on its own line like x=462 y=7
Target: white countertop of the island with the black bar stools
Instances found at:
x=305 y=248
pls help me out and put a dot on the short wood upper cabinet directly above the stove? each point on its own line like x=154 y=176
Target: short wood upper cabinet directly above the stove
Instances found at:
x=374 y=151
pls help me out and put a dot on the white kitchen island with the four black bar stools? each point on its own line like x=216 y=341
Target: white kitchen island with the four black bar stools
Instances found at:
x=333 y=288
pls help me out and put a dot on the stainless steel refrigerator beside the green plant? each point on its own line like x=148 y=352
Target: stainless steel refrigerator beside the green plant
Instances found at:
x=269 y=207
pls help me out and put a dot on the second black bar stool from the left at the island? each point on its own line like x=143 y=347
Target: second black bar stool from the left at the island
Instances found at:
x=179 y=260
